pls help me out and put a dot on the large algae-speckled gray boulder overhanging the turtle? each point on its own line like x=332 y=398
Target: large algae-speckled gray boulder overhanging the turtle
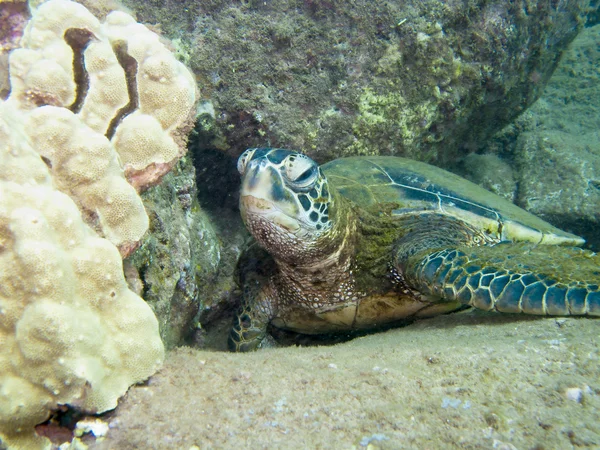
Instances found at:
x=421 y=79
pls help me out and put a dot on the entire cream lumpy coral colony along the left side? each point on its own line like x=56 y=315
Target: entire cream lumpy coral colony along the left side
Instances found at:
x=97 y=112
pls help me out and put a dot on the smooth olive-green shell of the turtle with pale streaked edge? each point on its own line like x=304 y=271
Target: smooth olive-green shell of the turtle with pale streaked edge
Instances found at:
x=419 y=188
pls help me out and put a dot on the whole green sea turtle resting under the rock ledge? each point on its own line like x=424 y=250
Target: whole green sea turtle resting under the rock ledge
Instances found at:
x=362 y=242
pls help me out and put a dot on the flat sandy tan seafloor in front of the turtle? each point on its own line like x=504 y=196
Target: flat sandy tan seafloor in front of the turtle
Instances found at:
x=470 y=380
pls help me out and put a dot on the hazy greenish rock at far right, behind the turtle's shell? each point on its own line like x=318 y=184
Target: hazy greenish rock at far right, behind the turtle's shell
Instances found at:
x=554 y=148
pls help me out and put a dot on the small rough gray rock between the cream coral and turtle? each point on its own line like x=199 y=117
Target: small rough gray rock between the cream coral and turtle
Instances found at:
x=175 y=267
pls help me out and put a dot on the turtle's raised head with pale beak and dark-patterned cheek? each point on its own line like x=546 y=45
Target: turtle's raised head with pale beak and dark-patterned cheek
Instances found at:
x=285 y=200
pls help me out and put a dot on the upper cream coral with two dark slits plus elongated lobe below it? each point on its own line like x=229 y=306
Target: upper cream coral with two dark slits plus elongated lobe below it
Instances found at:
x=108 y=93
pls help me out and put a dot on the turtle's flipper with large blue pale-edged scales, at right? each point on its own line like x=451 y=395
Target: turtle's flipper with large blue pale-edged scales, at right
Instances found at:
x=514 y=278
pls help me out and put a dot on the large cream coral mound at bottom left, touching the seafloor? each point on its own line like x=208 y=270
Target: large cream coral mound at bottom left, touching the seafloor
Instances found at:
x=71 y=332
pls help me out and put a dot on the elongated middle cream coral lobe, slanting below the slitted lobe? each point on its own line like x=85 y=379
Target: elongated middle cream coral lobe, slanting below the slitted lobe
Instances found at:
x=86 y=167
